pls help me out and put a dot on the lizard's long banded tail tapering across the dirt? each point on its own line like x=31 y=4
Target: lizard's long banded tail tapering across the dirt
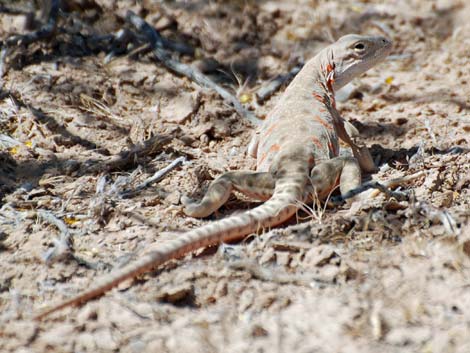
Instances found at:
x=276 y=210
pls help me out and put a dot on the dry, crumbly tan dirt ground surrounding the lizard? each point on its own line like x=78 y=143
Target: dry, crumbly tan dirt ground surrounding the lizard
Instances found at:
x=375 y=276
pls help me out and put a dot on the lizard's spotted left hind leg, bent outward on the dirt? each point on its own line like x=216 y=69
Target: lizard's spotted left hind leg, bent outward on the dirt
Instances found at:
x=253 y=184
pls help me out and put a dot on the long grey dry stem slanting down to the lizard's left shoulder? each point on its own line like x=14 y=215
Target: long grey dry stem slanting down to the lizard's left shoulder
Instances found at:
x=156 y=42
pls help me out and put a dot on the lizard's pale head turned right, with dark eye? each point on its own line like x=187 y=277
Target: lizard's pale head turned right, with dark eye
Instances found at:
x=353 y=55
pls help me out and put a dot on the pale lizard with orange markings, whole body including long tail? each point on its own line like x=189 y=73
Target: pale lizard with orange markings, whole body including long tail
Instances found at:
x=297 y=157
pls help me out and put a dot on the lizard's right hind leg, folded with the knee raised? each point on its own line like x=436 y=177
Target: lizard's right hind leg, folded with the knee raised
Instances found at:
x=344 y=171
